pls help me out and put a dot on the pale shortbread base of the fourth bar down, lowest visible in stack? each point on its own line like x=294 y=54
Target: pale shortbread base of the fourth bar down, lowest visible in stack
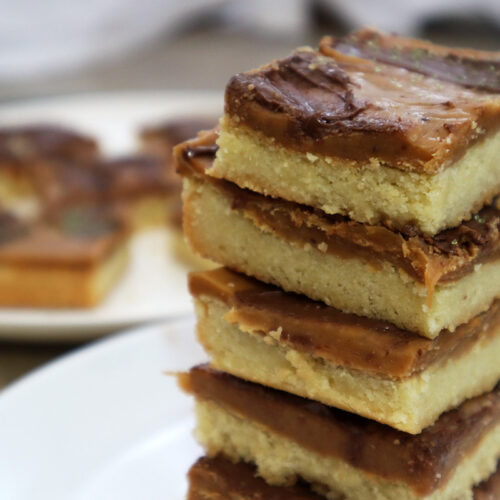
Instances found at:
x=280 y=460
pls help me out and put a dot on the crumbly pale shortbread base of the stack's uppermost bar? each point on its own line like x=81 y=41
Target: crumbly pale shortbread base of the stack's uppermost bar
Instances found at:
x=370 y=192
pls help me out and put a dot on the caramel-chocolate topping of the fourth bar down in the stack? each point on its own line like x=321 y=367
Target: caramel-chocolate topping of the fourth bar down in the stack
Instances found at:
x=425 y=462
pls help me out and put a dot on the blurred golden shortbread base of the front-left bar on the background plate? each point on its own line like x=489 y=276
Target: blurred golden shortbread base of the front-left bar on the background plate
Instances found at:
x=53 y=286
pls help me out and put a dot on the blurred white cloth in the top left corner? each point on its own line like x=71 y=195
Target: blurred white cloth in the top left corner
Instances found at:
x=46 y=36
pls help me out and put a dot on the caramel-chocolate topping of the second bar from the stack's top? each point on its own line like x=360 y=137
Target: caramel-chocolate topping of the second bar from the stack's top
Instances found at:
x=444 y=257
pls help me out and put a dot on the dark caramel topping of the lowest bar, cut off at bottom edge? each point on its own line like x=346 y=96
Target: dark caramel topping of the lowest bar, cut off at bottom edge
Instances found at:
x=218 y=478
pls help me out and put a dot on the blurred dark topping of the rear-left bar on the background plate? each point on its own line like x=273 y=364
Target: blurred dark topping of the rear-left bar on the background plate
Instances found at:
x=19 y=144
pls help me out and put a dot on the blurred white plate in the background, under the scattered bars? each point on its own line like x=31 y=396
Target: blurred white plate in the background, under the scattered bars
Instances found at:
x=154 y=287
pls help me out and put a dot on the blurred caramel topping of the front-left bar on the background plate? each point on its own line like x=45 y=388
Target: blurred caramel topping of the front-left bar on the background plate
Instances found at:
x=77 y=237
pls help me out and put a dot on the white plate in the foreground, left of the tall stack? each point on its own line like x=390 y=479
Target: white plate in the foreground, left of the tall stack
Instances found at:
x=103 y=423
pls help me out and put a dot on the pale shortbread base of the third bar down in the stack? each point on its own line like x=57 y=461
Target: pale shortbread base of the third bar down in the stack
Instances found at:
x=409 y=404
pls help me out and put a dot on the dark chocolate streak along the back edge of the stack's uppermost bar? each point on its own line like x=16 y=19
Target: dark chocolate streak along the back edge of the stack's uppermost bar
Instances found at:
x=468 y=68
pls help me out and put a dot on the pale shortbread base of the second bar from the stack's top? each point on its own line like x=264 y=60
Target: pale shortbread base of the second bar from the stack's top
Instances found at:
x=224 y=235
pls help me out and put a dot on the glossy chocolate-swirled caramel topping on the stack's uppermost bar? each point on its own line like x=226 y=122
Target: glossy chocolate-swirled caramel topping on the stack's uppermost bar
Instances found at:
x=354 y=107
